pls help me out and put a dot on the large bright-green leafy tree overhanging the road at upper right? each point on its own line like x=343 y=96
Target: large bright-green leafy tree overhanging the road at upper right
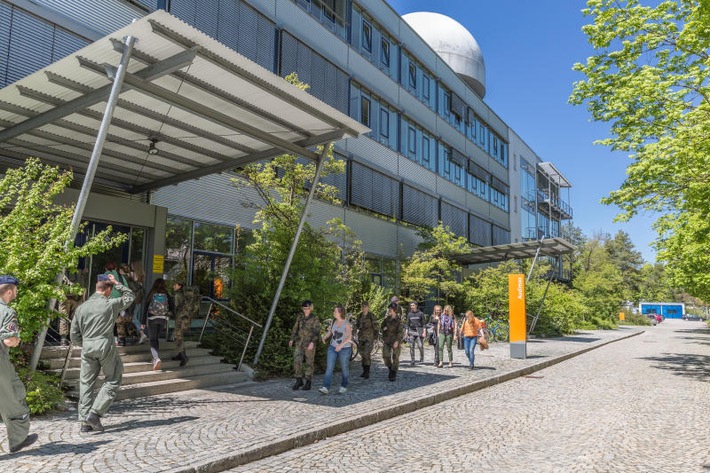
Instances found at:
x=650 y=80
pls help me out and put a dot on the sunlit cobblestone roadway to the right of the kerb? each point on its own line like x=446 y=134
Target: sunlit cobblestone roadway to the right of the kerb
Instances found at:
x=639 y=405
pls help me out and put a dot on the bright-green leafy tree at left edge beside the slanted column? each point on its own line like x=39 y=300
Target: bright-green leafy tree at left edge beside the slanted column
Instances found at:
x=33 y=234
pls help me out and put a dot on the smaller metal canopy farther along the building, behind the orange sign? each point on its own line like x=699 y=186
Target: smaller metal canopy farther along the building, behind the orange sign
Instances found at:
x=527 y=249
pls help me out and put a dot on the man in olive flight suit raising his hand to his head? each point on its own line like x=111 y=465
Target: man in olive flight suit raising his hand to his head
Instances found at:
x=92 y=330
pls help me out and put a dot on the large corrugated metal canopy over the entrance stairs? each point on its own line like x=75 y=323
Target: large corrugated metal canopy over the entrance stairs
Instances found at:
x=190 y=107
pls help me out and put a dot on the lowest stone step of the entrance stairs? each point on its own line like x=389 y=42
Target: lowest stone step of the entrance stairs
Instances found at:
x=155 y=388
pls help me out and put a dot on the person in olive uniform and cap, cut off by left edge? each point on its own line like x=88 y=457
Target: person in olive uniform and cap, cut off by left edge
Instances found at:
x=13 y=407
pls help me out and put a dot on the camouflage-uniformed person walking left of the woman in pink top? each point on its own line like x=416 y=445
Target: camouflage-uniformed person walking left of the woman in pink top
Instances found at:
x=305 y=333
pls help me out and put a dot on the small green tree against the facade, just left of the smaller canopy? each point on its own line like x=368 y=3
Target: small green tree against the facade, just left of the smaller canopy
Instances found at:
x=432 y=270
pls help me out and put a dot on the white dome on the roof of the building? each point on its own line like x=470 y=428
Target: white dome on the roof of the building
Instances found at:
x=456 y=46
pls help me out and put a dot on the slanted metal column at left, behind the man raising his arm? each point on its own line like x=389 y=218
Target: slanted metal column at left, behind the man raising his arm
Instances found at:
x=119 y=76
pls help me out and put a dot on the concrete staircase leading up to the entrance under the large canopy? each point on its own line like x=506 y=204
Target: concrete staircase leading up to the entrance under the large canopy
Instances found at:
x=139 y=379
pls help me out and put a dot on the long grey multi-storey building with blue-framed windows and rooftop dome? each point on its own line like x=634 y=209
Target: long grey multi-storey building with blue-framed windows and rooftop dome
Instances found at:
x=435 y=152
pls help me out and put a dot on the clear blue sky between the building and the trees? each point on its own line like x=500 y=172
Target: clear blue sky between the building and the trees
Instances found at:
x=529 y=48
